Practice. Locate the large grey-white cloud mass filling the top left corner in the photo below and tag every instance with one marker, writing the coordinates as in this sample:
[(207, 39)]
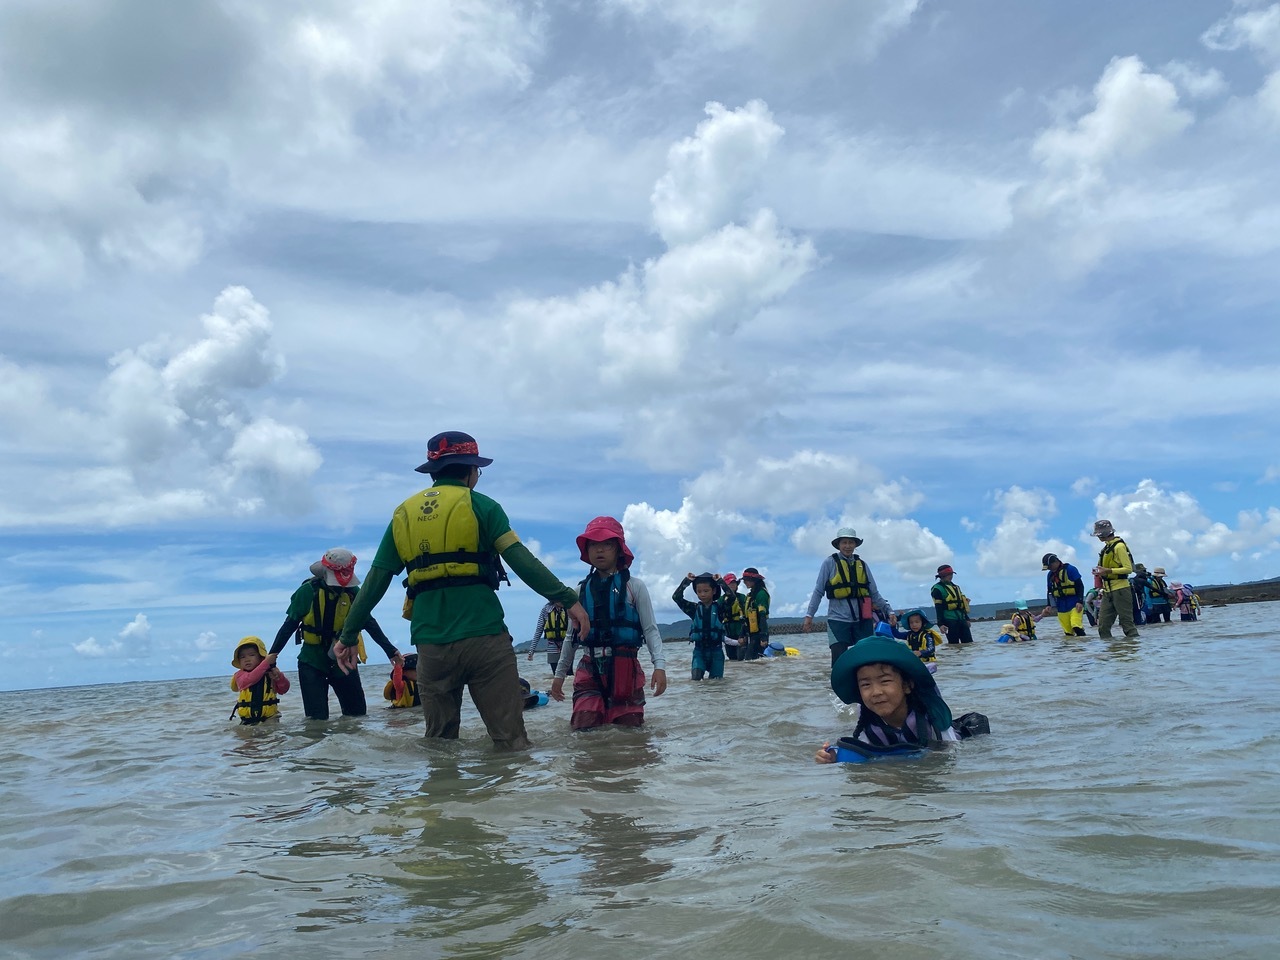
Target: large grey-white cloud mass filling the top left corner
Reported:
[(122, 154)]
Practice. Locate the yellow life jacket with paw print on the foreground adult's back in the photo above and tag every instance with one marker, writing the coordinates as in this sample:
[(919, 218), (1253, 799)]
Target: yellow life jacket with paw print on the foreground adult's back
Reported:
[(438, 538)]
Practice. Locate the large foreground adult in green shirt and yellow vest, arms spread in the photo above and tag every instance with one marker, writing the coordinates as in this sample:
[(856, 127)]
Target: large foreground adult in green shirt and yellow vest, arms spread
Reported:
[(450, 540)]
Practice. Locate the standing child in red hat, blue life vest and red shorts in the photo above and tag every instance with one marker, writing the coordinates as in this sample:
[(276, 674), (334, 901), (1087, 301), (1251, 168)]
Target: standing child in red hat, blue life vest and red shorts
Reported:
[(609, 684)]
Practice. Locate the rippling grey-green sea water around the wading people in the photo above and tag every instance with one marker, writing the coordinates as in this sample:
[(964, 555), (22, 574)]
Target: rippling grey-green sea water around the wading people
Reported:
[(1126, 806)]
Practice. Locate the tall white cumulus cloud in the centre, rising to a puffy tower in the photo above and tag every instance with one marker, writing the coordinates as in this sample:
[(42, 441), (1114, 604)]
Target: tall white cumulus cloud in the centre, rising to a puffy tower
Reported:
[(664, 331)]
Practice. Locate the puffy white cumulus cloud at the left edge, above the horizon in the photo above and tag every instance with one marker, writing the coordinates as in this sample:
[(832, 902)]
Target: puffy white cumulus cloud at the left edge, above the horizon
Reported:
[(173, 432)]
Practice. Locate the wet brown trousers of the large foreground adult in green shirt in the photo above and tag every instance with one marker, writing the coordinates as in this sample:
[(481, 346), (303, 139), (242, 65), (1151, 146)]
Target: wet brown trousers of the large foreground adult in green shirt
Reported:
[(487, 668)]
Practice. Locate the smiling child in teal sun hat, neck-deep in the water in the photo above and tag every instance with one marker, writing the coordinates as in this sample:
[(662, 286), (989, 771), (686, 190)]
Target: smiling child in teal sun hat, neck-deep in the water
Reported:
[(898, 698)]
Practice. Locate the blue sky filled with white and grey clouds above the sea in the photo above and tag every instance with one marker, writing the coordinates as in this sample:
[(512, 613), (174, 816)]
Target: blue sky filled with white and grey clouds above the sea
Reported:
[(964, 277)]
